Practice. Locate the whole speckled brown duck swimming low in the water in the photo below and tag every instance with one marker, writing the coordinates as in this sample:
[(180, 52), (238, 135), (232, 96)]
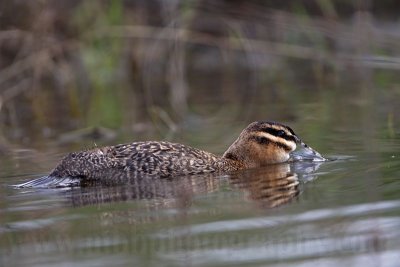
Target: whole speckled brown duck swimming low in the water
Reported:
[(259, 144)]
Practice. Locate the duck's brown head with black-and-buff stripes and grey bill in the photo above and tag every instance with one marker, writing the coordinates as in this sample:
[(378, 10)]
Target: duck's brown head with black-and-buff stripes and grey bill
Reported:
[(263, 143)]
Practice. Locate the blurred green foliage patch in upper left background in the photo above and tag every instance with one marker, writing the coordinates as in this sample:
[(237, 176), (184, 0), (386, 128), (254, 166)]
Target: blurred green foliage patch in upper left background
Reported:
[(101, 56)]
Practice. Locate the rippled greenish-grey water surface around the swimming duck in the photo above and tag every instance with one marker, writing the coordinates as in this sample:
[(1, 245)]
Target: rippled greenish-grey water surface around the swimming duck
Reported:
[(342, 212)]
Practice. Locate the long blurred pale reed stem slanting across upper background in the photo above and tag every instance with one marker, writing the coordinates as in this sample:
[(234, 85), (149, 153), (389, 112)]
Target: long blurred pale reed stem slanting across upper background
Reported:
[(276, 48)]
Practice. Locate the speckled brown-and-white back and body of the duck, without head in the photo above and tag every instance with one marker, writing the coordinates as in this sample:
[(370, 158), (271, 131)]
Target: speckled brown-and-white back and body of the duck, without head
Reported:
[(149, 158)]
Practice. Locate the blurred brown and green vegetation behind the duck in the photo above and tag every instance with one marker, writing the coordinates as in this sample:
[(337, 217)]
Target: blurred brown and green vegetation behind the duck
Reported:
[(154, 69)]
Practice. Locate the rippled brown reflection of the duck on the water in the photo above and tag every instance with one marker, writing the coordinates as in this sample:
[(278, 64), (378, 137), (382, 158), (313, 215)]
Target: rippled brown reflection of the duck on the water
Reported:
[(267, 187)]
